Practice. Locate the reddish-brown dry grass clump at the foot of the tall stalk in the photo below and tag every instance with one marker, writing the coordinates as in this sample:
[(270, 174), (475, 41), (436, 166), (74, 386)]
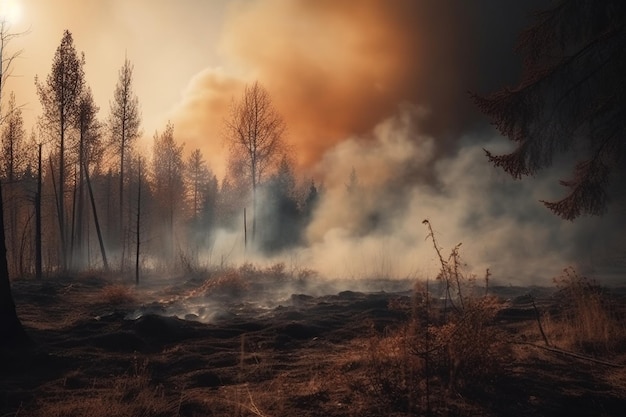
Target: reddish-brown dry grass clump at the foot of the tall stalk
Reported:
[(419, 367)]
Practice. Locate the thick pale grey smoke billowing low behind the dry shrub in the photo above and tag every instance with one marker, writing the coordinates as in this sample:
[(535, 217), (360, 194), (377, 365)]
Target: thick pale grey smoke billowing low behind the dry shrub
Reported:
[(376, 230)]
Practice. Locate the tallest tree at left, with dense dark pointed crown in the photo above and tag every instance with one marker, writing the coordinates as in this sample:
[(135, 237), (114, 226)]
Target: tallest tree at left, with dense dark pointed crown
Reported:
[(59, 97)]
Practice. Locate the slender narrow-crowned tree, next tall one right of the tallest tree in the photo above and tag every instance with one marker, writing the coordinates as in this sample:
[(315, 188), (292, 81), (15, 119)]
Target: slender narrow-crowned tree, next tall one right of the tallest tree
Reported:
[(124, 123)]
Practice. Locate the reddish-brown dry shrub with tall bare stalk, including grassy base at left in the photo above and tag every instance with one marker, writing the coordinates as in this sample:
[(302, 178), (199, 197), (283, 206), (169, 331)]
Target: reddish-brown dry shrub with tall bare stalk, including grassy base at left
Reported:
[(447, 342)]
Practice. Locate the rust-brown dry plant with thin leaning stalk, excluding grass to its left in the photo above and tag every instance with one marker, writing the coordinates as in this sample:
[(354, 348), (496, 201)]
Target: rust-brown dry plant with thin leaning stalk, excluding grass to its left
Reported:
[(463, 343)]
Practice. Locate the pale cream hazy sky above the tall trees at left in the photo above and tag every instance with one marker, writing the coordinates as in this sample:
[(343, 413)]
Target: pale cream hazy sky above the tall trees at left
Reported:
[(168, 42)]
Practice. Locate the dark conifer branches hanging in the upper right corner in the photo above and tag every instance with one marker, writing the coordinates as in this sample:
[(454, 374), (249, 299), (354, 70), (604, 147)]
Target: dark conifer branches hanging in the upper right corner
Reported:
[(571, 97)]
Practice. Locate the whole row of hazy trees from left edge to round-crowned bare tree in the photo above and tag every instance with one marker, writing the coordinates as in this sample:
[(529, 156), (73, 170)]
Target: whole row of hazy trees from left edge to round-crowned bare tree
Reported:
[(78, 195)]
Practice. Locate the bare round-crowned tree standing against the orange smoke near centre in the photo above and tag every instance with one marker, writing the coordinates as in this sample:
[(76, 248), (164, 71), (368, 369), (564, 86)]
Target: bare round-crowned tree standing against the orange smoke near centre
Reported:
[(255, 134)]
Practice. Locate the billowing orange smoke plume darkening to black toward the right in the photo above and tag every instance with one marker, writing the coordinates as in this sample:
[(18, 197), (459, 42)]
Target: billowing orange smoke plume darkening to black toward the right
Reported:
[(336, 69)]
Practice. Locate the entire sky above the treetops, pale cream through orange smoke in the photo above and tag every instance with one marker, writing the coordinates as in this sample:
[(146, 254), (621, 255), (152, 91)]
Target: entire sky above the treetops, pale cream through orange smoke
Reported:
[(333, 68)]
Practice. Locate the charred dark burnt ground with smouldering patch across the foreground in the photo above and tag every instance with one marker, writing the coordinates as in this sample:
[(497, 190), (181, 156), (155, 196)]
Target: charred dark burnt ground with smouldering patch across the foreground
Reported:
[(249, 349)]
